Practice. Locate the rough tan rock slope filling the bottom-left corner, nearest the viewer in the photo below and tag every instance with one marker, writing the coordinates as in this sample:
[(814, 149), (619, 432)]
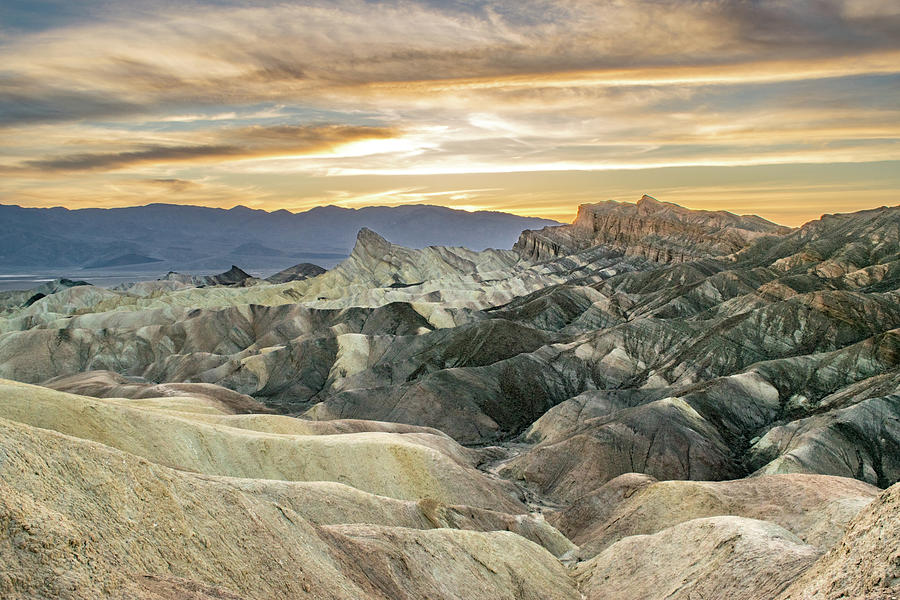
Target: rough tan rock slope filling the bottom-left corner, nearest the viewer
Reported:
[(81, 521)]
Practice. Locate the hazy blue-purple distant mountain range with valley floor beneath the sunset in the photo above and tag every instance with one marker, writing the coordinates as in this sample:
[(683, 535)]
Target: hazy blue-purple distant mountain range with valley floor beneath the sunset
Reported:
[(164, 237)]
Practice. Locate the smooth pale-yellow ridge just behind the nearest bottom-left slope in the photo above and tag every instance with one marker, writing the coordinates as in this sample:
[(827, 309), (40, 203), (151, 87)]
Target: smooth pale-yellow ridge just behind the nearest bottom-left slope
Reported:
[(405, 466)]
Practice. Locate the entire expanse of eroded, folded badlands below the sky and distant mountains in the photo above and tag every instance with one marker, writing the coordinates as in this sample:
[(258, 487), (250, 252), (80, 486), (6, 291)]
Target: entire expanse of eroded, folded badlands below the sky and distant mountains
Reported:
[(649, 403)]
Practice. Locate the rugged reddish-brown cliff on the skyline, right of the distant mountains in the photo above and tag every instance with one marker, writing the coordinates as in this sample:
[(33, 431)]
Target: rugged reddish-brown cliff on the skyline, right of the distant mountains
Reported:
[(658, 231)]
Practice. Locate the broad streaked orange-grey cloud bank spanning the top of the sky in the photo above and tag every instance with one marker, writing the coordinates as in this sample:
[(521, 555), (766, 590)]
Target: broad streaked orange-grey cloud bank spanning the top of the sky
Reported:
[(313, 52)]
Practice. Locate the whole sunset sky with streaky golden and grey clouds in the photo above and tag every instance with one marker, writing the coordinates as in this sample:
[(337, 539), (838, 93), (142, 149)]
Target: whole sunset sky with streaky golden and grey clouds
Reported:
[(786, 108)]
